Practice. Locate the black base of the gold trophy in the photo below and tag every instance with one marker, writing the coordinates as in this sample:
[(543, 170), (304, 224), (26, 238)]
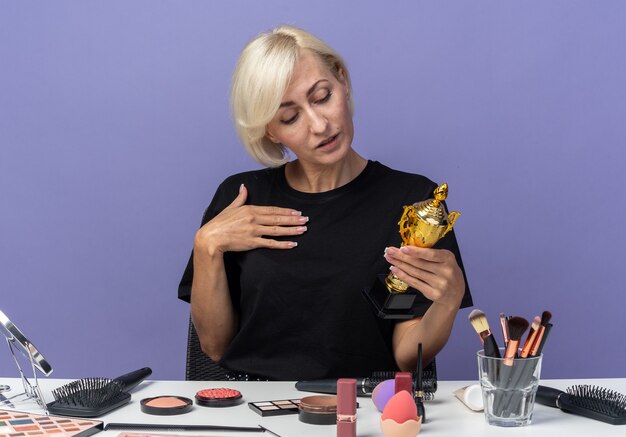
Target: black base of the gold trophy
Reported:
[(390, 305)]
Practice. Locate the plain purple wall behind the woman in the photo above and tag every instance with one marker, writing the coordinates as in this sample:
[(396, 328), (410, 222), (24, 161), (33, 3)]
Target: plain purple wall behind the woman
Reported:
[(115, 131)]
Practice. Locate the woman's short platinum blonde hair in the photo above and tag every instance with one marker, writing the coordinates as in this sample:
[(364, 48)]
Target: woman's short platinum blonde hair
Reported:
[(259, 82)]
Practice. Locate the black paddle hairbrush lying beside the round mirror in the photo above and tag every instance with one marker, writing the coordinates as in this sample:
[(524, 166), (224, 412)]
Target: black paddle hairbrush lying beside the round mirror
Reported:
[(93, 397)]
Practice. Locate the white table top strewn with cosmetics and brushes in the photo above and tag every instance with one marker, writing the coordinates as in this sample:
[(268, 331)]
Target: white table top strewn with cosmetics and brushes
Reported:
[(446, 416)]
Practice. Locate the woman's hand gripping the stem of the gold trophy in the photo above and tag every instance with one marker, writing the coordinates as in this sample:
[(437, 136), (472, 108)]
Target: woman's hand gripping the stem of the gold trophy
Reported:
[(434, 272)]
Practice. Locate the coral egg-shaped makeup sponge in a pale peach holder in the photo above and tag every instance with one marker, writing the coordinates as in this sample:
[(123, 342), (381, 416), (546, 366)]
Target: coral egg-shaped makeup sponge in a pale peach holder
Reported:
[(399, 418)]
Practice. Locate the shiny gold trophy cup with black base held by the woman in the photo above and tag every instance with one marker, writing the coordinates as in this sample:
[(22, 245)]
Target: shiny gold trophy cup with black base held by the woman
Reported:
[(422, 224)]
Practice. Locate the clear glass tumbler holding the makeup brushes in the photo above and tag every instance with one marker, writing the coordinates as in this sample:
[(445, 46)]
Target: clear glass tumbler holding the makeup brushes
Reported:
[(509, 388)]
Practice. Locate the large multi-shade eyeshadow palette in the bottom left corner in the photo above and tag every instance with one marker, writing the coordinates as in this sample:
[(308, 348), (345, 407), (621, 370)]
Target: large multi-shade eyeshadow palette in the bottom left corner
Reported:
[(20, 424)]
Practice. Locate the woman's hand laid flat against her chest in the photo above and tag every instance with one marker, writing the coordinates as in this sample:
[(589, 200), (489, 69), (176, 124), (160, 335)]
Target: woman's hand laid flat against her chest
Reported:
[(240, 227)]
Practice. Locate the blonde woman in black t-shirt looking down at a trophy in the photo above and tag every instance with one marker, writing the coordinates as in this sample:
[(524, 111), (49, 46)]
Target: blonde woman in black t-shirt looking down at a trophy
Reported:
[(282, 258)]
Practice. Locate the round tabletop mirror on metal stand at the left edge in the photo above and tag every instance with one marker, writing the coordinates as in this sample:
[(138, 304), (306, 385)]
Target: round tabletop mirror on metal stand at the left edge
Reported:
[(17, 341)]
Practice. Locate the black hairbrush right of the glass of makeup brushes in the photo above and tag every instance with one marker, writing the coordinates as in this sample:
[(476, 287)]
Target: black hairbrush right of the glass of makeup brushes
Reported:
[(589, 401)]
